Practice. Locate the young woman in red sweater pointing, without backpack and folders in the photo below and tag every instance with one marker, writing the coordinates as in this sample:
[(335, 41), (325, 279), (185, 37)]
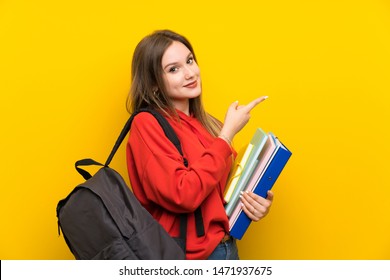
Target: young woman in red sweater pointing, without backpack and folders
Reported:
[(166, 77)]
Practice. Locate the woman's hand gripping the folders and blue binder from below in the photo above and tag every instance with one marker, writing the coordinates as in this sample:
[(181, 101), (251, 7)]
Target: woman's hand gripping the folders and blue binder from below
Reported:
[(255, 206)]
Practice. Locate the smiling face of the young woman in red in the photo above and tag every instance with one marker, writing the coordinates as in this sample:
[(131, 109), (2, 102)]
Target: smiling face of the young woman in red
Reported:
[(181, 75)]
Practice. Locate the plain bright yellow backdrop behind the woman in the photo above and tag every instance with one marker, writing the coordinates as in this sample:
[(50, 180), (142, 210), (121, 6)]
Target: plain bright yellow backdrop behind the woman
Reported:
[(65, 74)]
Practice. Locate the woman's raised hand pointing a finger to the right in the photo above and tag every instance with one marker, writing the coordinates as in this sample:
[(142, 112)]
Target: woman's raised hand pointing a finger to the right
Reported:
[(237, 117)]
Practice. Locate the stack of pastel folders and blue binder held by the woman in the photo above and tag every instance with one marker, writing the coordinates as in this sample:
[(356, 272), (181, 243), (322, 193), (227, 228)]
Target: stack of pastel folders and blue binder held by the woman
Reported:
[(256, 169)]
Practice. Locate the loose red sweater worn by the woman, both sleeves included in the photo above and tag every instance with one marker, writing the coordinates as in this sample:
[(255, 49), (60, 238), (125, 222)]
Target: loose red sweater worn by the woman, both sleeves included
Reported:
[(165, 187)]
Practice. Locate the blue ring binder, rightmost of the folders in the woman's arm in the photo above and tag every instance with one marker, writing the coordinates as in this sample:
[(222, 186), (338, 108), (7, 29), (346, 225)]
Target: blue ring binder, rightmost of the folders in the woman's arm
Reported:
[(265, 183)]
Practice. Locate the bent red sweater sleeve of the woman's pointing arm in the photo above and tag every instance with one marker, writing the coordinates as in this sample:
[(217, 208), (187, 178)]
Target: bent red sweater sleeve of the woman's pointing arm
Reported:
[(164, 178)]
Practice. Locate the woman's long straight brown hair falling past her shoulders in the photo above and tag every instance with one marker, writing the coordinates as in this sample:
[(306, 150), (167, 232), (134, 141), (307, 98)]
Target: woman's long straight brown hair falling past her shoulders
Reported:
[(147, 75)]
